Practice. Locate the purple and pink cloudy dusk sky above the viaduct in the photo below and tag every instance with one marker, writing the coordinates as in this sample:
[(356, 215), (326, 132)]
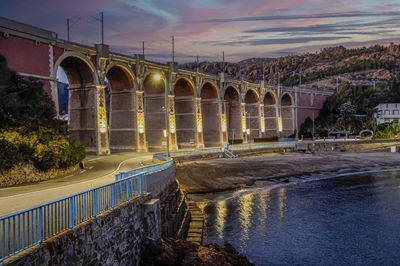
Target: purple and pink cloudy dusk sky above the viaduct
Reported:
[(241, 28)]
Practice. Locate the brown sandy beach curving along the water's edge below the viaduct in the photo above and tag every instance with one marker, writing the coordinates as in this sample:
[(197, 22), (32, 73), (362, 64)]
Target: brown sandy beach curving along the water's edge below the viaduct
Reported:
[(213, 179)]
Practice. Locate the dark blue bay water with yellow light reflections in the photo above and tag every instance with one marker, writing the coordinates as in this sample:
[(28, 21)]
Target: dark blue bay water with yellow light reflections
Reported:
[(352, 220)]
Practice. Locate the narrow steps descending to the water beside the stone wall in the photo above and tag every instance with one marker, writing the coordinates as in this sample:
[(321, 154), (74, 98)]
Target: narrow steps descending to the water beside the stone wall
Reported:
[(195, 232)]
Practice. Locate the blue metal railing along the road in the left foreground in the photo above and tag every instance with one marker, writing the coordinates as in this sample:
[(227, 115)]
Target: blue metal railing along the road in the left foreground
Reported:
[(27, 228)]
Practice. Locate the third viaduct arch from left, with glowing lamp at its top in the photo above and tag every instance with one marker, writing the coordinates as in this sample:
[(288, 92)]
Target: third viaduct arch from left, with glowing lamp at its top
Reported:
[(154, 110)]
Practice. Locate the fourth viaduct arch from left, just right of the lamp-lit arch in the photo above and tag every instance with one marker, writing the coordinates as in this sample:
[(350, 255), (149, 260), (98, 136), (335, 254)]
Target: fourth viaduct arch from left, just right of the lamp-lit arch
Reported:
[(185, 114)]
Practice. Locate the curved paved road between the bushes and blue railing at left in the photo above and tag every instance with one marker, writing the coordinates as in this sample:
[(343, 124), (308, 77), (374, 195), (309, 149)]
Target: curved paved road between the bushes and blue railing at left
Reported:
[(98, 170)]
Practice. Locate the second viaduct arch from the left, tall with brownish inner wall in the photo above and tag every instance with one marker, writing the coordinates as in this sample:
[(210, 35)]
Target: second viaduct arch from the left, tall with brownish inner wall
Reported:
[(121, 107)]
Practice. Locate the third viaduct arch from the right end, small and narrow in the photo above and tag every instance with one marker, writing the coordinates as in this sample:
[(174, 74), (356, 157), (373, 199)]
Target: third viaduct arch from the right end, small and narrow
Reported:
[(252, 108)]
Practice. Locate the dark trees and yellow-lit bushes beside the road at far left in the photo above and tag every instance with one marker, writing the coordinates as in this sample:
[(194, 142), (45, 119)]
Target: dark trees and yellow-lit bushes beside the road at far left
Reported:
[(29, 131)]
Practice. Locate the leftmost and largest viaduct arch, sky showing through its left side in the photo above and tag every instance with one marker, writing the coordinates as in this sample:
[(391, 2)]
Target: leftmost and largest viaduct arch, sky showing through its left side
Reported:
[(78, 87)]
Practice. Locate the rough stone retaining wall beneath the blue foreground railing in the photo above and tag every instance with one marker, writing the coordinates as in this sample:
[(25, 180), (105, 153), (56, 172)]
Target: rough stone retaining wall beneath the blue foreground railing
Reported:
[(116, 237)]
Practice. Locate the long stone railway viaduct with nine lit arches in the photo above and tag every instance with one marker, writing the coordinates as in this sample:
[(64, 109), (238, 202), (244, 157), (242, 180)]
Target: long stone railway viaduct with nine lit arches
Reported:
[(203, 109)]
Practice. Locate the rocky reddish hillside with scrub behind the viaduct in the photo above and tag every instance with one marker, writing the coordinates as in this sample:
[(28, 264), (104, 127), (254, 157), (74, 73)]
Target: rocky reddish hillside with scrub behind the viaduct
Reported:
[(359, 66)]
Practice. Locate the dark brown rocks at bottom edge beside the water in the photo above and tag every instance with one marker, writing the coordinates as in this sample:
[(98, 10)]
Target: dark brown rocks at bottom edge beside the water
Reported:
[(181, 252)]
